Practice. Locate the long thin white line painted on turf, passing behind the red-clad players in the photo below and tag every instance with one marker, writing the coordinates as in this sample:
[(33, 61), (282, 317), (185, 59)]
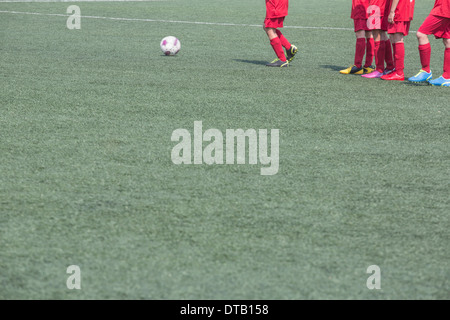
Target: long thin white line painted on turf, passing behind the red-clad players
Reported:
[(171, 21)]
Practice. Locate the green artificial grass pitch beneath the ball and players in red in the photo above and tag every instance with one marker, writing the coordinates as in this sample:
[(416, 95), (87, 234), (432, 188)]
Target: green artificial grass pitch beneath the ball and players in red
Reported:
[(86, 176)]
